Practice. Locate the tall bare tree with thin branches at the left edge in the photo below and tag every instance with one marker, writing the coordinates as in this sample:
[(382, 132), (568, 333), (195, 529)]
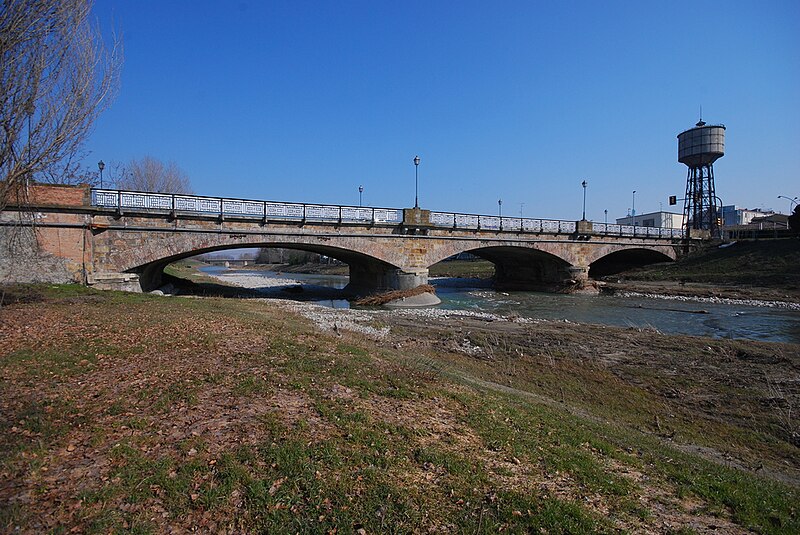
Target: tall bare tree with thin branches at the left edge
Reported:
[(56, 77)]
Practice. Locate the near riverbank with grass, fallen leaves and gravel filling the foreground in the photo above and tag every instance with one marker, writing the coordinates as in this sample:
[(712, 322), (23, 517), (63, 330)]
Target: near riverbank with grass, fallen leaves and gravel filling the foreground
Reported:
[(151, 414)]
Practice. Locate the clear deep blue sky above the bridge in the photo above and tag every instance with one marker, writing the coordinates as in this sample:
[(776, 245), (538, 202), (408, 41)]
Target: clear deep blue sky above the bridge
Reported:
[(519, 101)]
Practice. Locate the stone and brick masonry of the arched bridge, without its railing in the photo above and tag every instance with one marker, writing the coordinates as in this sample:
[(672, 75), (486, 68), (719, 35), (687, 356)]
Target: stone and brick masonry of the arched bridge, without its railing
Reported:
[(75, 241)]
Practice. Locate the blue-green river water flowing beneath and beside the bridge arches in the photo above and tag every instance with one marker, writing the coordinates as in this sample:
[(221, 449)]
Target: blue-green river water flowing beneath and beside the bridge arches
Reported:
[(718, 320)]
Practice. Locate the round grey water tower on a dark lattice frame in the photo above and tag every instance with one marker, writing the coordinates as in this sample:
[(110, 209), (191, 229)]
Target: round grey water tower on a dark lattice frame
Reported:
[(698, 149)]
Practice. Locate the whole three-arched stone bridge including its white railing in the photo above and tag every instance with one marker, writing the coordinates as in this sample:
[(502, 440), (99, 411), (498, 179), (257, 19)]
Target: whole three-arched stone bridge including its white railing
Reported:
[(123, 240)]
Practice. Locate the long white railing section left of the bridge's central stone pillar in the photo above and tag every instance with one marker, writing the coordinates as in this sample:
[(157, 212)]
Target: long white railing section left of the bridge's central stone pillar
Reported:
[(218, 206)]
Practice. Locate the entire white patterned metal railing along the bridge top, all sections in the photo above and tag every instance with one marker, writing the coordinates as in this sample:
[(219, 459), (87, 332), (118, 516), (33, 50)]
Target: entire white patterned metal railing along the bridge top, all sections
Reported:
[(280, 211)]
